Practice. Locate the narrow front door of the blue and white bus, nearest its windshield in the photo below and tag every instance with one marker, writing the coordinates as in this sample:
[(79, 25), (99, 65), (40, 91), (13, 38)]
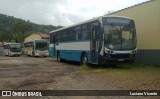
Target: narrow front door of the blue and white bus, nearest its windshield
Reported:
[(93, 45)]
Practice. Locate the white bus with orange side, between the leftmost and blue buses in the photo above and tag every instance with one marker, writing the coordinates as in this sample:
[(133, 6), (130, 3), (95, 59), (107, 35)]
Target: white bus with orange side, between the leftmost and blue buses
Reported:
[(36, 48)]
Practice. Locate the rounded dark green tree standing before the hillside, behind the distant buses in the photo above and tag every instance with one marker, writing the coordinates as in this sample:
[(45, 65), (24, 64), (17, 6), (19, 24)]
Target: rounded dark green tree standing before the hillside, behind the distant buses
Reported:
[(20, 30)]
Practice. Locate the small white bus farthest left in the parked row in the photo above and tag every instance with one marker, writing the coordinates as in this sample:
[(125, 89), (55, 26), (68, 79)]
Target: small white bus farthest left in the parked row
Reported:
[(12, 49)]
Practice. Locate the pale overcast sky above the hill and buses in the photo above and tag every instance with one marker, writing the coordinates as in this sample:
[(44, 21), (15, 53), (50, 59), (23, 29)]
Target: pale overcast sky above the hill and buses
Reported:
[(62, 12)]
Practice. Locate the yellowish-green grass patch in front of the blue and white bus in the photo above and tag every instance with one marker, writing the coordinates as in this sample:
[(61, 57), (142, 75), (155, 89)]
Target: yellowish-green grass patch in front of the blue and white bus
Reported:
[(125, 76)]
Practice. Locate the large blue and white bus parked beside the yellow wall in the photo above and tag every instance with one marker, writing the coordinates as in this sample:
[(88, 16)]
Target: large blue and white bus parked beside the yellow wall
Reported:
[(97, 41)]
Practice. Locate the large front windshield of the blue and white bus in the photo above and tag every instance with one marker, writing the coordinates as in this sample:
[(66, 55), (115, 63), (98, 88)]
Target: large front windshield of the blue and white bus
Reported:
[(120, 34)]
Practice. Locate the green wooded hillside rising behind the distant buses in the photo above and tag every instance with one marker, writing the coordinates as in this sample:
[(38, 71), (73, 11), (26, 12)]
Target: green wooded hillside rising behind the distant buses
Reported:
[(15, 29)]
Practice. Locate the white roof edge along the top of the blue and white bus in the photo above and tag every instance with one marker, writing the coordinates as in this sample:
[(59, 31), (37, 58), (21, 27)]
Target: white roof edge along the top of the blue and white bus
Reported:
[(94, 19)]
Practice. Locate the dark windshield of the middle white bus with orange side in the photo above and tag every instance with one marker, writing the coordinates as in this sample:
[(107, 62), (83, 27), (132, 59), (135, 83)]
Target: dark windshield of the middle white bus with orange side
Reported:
[(41, 46)]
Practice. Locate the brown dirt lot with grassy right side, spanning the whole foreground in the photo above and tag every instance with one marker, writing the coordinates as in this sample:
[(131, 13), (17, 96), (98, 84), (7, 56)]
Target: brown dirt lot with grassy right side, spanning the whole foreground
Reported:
[(31, 73)]
